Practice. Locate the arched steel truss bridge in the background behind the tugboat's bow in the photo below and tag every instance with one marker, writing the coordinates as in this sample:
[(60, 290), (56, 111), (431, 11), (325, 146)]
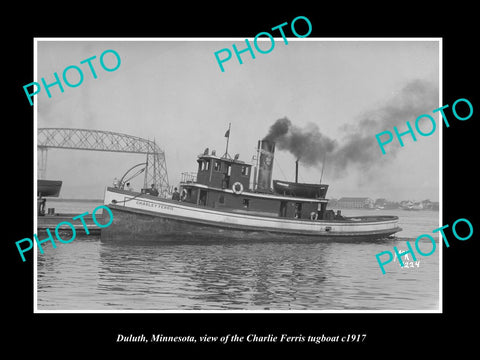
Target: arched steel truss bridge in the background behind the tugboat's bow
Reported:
[(97, 140)]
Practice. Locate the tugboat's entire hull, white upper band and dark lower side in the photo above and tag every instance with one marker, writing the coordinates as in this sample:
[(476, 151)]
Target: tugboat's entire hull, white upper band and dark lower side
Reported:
[(145, 217)]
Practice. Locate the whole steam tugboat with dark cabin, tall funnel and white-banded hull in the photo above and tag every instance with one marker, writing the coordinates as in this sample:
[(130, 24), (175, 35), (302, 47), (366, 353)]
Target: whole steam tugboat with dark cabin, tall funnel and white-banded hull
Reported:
[(218, 202)]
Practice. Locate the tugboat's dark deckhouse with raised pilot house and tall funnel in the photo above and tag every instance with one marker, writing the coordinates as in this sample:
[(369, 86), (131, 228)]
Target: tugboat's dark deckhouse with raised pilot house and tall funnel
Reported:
[(224, 183)]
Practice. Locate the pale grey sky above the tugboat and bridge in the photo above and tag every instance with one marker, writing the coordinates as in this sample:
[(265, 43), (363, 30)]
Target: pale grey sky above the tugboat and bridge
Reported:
[(174, 92)]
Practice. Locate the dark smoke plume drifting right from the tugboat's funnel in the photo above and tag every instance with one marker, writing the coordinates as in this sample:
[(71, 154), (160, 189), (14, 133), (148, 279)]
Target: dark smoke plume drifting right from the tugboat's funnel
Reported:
[(358, 147)]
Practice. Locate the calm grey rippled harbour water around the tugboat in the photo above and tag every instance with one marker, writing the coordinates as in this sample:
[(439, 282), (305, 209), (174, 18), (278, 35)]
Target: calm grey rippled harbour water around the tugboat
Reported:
[(242, 275)]
